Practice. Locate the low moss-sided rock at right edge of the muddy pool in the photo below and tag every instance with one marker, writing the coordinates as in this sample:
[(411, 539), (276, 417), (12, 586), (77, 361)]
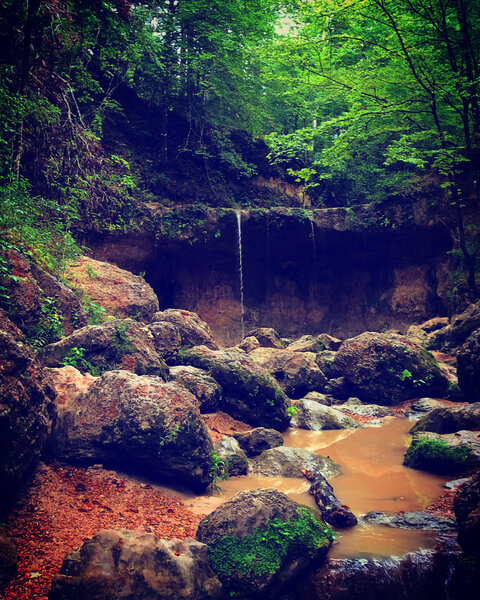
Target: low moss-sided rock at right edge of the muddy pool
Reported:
[(451, 453)]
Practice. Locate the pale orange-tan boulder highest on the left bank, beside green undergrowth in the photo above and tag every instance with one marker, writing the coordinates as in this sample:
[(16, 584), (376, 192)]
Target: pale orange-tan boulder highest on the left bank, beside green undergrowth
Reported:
[(119, 292)]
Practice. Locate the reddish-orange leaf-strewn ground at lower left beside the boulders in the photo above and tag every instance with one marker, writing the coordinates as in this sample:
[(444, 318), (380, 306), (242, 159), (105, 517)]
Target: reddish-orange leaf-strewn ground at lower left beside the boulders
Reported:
[(67, 505)]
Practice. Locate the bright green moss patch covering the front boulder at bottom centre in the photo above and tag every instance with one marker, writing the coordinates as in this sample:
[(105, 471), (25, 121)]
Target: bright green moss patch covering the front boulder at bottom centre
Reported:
[(264, 550)]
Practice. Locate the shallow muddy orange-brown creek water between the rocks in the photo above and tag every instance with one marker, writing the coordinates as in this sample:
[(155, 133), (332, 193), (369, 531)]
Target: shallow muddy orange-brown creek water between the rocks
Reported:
[(372, 478)]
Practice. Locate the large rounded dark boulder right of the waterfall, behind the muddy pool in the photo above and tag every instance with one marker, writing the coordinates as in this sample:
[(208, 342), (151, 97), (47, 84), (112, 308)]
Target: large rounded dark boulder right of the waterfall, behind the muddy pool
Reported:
[(386, 368)]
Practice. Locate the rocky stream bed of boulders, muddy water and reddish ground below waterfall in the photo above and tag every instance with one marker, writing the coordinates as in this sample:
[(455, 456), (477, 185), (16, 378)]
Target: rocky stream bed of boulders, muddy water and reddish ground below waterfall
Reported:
[(95, 423)]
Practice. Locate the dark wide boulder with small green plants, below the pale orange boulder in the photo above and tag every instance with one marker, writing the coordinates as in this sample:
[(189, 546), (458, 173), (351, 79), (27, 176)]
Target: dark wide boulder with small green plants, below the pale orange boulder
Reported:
[(117, 344)]
